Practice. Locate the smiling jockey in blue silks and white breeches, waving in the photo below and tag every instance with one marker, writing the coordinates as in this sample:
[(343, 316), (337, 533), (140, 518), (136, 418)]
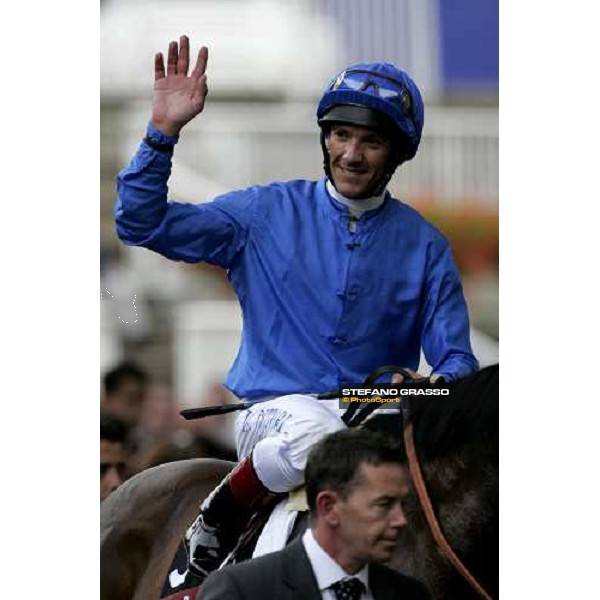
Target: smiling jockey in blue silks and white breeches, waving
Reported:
[(335, 277)]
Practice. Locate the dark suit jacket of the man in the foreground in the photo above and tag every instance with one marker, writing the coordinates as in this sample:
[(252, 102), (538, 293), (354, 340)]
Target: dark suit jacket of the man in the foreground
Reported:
[(288, 575)]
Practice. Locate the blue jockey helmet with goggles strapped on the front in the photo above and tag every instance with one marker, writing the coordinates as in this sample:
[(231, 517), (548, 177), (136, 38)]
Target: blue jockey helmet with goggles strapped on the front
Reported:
[(376, 95)]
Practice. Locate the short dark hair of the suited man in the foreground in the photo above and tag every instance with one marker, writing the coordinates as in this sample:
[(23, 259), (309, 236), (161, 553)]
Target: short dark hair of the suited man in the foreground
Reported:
[(334, 462)]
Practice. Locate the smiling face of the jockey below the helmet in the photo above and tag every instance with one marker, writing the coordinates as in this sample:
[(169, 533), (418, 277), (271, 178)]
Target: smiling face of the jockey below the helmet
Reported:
[(357, 159)]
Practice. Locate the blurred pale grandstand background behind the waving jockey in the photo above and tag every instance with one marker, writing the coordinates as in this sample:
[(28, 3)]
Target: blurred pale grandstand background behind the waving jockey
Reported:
[(269, 62)]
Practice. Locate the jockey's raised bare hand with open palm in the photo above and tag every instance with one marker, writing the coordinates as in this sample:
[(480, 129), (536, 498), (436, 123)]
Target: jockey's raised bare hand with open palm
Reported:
[(177, 97)]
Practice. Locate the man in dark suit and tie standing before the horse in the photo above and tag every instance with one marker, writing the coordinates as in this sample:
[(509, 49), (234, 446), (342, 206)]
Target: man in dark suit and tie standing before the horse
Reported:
[(354, 486)]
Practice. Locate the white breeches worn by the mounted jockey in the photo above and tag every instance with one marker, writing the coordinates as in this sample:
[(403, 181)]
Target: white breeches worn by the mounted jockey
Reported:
[(280, 434)]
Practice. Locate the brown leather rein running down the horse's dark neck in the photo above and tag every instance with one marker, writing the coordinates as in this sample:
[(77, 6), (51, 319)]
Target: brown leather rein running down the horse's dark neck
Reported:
[(434, 526)]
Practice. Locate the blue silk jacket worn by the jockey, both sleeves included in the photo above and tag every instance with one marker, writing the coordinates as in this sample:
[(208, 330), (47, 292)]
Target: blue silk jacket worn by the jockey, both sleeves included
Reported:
[(321, 305)]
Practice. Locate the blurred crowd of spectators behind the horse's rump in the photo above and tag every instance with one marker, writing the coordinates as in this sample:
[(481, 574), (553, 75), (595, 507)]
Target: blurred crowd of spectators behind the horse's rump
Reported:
[(140, 426)]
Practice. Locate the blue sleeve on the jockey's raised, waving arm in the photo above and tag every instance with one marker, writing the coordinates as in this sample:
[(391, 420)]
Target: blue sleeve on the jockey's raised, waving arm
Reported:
[(214, 232)]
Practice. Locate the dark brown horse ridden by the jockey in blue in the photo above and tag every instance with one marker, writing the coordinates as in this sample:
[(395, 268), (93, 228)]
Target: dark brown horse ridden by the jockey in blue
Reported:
[(456, 438)]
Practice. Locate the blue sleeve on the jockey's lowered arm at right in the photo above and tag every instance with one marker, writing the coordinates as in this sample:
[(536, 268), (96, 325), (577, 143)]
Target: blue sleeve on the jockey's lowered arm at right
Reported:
[(445, 335)]
